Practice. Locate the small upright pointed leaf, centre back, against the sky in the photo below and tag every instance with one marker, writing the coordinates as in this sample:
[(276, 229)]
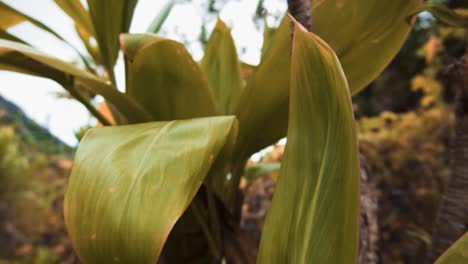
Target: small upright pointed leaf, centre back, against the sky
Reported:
[(222, 66)]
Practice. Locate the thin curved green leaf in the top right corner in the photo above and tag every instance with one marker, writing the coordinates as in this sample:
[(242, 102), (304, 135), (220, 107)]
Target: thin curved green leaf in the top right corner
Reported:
[(443, 13)]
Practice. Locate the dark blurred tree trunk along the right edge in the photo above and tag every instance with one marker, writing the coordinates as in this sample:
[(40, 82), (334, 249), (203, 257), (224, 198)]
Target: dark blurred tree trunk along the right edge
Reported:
[(452, 217)]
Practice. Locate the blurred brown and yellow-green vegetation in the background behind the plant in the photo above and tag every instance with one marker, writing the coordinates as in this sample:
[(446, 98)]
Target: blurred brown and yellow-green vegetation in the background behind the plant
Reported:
[(404, 122)]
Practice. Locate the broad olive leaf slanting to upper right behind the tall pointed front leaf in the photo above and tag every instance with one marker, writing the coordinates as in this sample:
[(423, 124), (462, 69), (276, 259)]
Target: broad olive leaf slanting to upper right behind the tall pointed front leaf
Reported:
[(365, 34)]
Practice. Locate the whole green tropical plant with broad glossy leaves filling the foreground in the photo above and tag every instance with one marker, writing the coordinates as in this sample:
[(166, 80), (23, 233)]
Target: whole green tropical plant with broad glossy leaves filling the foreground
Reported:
[(170, 167)]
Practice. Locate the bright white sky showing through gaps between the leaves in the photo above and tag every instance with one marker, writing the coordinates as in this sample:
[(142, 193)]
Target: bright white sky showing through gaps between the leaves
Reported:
[(63, 117)]
